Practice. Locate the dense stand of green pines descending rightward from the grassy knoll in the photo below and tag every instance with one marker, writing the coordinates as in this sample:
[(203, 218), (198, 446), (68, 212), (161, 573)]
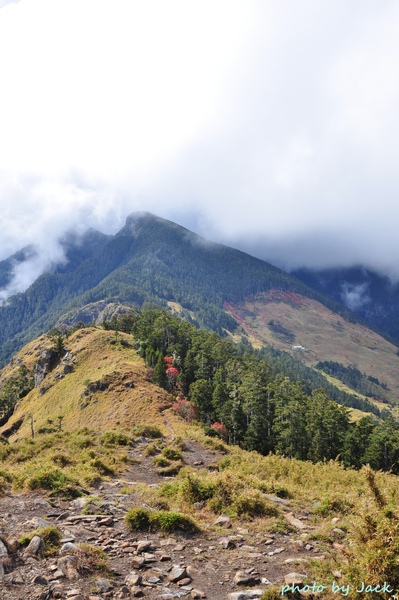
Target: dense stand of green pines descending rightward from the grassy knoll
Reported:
[(261, 410)]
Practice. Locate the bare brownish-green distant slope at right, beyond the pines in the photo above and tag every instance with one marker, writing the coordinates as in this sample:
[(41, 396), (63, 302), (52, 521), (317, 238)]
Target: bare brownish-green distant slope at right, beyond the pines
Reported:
[(324, 334)]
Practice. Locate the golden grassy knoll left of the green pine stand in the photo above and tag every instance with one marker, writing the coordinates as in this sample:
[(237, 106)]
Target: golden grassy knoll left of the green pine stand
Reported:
[(95, 356)]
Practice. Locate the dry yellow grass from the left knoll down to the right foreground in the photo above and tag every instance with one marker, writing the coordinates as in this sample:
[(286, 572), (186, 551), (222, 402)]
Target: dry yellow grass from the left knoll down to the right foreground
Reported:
[(316, 493)]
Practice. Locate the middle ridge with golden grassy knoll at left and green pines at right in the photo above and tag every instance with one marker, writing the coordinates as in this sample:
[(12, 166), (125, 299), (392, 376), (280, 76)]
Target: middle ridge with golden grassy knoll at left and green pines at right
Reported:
[(103, 378)]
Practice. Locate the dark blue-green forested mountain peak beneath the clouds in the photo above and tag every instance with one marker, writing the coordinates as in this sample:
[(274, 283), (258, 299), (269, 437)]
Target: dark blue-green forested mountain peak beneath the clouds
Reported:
[(149, 260)]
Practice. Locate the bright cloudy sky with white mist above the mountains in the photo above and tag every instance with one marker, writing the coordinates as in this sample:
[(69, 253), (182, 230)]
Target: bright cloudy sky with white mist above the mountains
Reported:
[(268, 125)]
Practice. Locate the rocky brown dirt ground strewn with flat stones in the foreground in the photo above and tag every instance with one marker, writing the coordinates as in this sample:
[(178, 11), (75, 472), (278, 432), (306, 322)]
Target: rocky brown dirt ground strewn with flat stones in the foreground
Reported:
[(229, 560)]
